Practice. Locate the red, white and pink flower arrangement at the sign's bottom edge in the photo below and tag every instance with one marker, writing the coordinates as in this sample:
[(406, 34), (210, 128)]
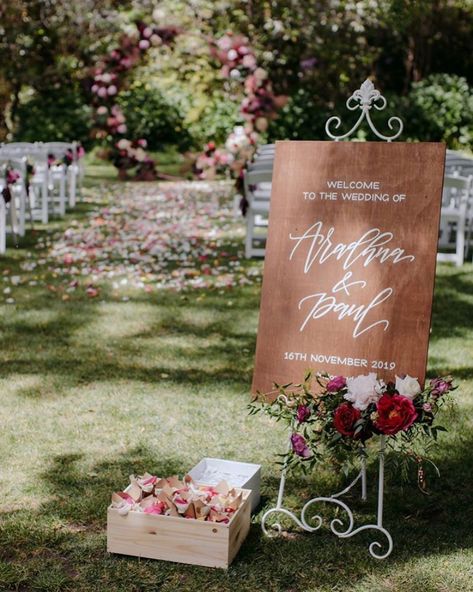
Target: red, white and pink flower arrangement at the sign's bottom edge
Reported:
[(342, 414)]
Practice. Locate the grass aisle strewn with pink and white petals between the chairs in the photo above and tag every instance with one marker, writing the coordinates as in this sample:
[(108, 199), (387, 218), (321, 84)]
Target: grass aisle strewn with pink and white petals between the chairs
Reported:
[(149, 236)]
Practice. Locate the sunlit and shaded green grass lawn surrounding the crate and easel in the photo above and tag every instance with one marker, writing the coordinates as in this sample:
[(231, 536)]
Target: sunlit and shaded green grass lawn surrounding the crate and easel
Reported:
[(94, 389)]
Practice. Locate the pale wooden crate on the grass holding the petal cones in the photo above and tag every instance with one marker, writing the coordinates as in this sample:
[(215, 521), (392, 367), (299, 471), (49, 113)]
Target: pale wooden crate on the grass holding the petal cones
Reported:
[(179, 539)]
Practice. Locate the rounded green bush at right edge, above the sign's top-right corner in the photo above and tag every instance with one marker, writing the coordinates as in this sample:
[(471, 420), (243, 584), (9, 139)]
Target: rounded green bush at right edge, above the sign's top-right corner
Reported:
[(440, 108)]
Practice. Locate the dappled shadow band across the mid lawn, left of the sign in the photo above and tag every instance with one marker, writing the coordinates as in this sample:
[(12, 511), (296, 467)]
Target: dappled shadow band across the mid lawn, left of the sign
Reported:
[(46, 342)]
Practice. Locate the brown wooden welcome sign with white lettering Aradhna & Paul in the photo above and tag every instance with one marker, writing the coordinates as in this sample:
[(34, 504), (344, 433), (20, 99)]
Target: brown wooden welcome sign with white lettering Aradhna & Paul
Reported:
[(350, 260)]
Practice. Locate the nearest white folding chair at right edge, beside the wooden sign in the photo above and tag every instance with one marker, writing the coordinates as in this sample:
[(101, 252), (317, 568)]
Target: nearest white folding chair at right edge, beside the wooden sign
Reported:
[(455, 218)]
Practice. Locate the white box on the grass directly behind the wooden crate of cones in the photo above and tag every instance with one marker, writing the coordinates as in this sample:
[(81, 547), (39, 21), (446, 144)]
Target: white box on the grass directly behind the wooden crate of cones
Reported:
[(210, 471)]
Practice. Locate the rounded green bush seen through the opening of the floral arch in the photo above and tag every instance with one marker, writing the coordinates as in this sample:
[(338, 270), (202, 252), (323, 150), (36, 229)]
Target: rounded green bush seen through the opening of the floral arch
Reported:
[(151, 116)]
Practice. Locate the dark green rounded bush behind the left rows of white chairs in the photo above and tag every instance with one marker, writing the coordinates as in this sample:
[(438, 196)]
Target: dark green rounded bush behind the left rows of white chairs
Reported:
[(58, 113)]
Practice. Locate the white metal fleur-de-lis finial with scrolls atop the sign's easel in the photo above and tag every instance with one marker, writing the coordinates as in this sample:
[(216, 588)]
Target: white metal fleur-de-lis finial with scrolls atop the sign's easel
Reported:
[(365, 98)]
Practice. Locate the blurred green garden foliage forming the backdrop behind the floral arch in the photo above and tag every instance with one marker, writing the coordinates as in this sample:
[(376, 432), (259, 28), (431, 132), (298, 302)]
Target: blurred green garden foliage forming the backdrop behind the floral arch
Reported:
[(315, 52)]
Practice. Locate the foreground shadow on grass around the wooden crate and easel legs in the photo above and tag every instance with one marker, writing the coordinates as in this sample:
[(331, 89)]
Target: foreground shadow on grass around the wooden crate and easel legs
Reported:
[(66, 534)]
